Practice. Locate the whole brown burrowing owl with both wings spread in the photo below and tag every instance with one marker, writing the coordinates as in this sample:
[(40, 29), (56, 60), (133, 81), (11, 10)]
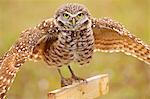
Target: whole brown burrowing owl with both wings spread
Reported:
[(71, 35)]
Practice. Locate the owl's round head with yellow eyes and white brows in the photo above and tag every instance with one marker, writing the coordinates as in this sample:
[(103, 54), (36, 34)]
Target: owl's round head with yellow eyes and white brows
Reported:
[(72, 17)]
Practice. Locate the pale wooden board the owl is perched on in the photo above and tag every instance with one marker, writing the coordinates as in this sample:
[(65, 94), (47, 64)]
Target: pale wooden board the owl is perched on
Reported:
[(95, 87)]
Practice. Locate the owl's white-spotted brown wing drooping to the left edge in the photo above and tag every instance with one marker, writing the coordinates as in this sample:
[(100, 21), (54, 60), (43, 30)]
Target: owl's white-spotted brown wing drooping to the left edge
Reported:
[(30, 44)]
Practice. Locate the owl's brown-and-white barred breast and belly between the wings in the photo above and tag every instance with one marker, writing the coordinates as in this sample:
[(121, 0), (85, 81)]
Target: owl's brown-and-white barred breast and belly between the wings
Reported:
[(74, 47)]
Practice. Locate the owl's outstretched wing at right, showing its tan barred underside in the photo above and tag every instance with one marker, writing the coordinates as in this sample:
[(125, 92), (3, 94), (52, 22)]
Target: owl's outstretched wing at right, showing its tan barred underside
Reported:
[(111, 36)]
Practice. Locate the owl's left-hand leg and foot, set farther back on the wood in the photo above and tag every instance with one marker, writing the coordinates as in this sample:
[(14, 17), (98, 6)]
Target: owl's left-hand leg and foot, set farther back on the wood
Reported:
[(64, 81)]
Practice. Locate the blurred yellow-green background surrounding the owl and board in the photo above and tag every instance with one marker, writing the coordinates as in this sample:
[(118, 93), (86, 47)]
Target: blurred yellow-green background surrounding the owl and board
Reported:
[(129, 77)]
